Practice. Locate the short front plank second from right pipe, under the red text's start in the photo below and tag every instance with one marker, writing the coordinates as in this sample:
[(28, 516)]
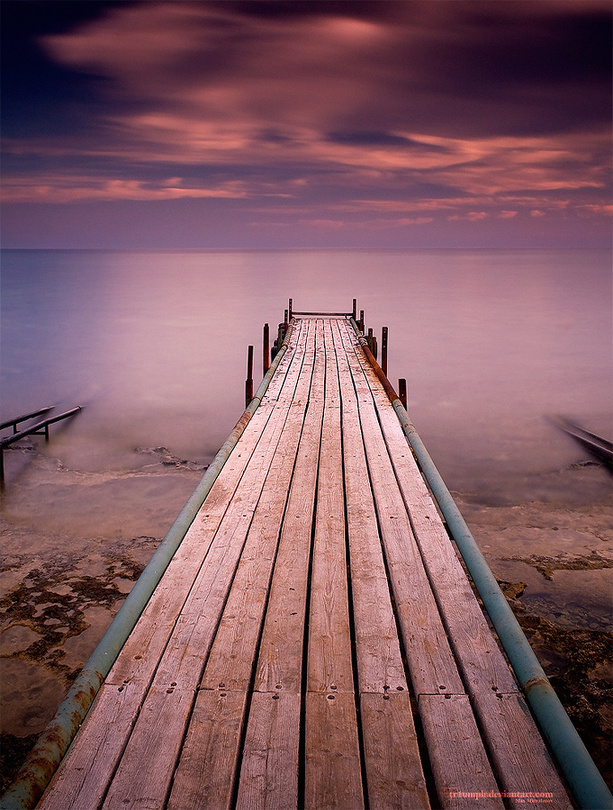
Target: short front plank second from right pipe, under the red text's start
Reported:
[(457, 757)]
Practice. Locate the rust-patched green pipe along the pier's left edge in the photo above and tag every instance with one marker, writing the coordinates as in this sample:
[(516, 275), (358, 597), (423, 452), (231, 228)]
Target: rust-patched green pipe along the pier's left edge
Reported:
[(43, 760)]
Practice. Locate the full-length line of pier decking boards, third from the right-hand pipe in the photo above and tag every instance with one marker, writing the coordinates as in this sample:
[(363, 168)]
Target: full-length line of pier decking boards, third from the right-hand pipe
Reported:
[(392, 759)]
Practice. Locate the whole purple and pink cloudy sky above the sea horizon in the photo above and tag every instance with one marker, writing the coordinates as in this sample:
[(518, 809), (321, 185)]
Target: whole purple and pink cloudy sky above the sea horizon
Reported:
[(394, 123)]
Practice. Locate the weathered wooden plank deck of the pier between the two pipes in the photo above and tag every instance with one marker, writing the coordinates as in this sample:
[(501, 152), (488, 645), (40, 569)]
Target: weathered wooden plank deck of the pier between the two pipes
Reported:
[(314, 642)]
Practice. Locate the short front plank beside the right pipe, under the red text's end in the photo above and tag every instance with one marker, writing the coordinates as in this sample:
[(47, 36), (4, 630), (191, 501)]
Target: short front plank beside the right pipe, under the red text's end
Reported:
[(518, 752)]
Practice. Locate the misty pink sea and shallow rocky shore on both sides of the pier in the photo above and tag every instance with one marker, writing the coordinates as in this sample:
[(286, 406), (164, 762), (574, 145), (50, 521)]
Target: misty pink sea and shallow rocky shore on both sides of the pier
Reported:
[(154, 346)]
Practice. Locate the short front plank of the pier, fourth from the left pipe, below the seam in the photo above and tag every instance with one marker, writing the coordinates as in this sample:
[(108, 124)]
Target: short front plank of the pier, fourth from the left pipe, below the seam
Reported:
[(269, 772)]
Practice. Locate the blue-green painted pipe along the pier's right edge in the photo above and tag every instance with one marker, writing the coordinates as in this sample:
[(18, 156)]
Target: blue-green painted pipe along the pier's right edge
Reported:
[(582, 775)]
